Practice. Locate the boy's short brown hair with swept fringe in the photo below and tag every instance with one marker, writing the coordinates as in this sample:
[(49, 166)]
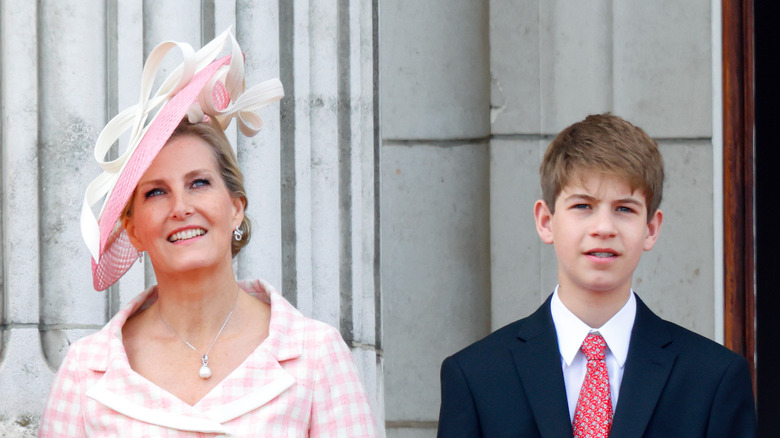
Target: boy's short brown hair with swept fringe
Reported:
[(608, 144)]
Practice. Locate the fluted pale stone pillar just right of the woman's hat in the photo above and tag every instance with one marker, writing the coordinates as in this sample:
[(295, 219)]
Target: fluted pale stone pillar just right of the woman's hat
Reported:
[(328, 173)]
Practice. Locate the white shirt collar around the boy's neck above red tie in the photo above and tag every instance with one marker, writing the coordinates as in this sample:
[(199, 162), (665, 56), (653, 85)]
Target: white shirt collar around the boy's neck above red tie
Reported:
[(571, 331)]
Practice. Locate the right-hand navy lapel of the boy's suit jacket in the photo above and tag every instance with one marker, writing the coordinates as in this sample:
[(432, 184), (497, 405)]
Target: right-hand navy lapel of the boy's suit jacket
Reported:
[(648, 366)]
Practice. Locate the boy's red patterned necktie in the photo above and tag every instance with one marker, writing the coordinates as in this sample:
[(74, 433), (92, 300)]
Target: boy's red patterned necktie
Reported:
[(593, 416)]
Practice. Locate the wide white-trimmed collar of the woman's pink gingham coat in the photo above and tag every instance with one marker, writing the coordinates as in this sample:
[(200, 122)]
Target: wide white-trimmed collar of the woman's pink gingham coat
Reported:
[(125, 391)]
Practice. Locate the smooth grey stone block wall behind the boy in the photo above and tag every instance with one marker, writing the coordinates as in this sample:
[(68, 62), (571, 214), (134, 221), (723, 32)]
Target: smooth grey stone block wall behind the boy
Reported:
[(472, 92)]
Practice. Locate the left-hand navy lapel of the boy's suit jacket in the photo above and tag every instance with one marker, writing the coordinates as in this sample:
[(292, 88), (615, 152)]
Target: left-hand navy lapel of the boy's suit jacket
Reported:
[(538, 362)]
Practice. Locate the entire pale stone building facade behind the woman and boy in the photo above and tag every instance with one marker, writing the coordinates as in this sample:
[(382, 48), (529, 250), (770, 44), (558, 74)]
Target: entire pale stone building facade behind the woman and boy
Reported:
[(391, 190)]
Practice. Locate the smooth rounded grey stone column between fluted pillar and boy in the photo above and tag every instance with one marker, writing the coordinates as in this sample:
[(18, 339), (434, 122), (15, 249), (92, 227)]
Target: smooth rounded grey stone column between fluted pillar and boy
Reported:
[(435, 200)]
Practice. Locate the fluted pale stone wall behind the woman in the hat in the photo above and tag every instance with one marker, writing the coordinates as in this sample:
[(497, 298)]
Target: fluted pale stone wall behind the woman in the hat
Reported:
[(312, 174)]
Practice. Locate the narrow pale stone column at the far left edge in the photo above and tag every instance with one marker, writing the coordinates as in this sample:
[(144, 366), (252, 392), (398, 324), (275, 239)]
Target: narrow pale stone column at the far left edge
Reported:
[(25, 375)]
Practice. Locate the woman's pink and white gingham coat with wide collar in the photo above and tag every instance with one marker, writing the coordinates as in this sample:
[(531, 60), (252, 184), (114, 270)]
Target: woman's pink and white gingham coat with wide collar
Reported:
[(301, 381)]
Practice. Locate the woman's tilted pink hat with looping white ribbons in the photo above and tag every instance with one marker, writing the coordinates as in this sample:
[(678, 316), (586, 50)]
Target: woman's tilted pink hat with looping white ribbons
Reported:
[(199, 87)]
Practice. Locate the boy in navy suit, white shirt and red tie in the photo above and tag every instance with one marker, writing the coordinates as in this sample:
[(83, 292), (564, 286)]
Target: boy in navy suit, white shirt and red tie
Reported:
[(593, 360)]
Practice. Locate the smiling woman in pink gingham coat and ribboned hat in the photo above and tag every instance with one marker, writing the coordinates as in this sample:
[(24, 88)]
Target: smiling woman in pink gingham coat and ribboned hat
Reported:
[(198, 353)]
